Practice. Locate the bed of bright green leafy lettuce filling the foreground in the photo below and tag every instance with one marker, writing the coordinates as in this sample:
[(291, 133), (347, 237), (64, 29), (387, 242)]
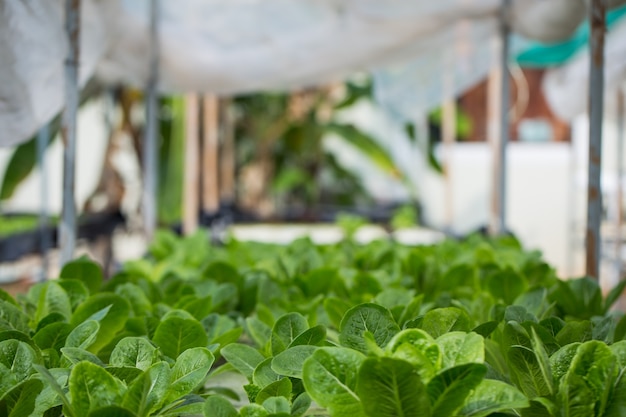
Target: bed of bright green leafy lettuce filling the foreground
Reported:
[(472, 328)]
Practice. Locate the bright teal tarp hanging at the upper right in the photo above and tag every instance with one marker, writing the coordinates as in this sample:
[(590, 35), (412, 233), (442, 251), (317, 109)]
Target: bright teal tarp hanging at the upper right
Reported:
[(542, 55)]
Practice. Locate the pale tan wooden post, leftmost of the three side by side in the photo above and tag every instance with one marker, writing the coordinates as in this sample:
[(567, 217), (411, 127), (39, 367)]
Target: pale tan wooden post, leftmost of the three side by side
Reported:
[(192, 164)]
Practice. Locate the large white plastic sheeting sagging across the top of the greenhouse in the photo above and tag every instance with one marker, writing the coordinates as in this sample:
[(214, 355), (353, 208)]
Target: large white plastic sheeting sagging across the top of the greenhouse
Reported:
[(236, 46)]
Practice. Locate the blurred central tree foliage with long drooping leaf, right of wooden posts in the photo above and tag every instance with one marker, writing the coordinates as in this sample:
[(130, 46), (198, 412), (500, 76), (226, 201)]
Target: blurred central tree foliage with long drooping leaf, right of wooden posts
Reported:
[(283, 164)]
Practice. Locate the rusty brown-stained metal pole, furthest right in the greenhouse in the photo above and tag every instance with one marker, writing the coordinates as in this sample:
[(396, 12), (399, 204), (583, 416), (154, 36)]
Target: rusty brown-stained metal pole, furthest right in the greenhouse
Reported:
[(596, 104)]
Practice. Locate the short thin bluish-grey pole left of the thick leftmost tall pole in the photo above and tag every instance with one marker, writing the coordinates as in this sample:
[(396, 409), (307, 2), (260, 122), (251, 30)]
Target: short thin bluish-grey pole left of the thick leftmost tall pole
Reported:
[(43, 137)]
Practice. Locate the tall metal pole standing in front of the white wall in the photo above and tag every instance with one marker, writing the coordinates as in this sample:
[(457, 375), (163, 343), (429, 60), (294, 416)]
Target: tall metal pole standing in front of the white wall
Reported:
[(501, 139)]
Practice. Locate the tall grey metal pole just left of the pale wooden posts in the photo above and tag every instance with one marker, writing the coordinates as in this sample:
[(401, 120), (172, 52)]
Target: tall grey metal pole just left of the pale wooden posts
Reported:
[(150, 148)]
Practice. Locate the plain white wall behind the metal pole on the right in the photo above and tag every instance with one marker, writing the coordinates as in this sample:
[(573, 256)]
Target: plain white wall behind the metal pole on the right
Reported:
[(537, 200)]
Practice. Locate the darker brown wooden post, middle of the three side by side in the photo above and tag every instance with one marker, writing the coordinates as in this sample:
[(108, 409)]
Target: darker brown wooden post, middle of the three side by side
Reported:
[(210, 156)]
